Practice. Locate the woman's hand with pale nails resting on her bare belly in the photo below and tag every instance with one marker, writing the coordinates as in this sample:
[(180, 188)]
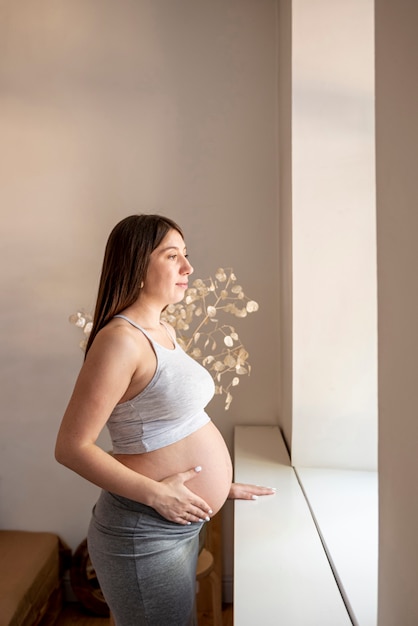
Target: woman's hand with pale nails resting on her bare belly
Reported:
[(177, 503)]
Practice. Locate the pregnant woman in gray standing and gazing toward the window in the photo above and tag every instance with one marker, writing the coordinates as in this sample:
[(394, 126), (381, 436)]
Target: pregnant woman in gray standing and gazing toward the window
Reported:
[(170, 470)]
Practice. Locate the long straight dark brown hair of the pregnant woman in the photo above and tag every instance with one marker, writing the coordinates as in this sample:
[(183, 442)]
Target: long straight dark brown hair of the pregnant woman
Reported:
[(125, 265)]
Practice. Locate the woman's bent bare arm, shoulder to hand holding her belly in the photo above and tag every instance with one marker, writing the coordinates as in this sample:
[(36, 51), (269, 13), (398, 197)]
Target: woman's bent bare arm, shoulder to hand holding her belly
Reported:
[(103, 380)]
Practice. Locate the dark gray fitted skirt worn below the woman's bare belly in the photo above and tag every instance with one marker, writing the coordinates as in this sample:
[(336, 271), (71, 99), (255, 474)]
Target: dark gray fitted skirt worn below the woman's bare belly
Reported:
[(145, 565)]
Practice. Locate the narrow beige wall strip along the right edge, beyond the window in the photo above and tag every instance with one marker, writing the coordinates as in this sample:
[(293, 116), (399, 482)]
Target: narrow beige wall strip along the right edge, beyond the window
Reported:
[(397, 228)]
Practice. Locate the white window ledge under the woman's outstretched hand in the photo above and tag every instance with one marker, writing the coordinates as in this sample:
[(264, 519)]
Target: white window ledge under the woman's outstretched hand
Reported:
[(302, 561)]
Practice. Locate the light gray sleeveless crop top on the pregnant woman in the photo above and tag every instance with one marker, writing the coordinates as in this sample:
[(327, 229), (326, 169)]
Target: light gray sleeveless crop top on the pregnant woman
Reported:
[(170, 407)]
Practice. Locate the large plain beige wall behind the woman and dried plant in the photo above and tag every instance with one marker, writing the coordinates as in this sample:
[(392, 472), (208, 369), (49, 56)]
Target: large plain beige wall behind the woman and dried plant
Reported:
[(109, 108)]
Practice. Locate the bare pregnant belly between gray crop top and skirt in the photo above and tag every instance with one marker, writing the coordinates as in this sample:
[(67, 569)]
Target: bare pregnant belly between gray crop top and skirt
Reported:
[(206, 448)]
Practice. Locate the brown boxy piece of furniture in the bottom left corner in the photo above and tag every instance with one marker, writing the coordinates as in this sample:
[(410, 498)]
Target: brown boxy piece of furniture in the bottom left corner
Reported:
[(32, 567)]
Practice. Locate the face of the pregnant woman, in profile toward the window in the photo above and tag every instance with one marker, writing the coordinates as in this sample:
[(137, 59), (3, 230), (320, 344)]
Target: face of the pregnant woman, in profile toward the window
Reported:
[(168, 270)]
